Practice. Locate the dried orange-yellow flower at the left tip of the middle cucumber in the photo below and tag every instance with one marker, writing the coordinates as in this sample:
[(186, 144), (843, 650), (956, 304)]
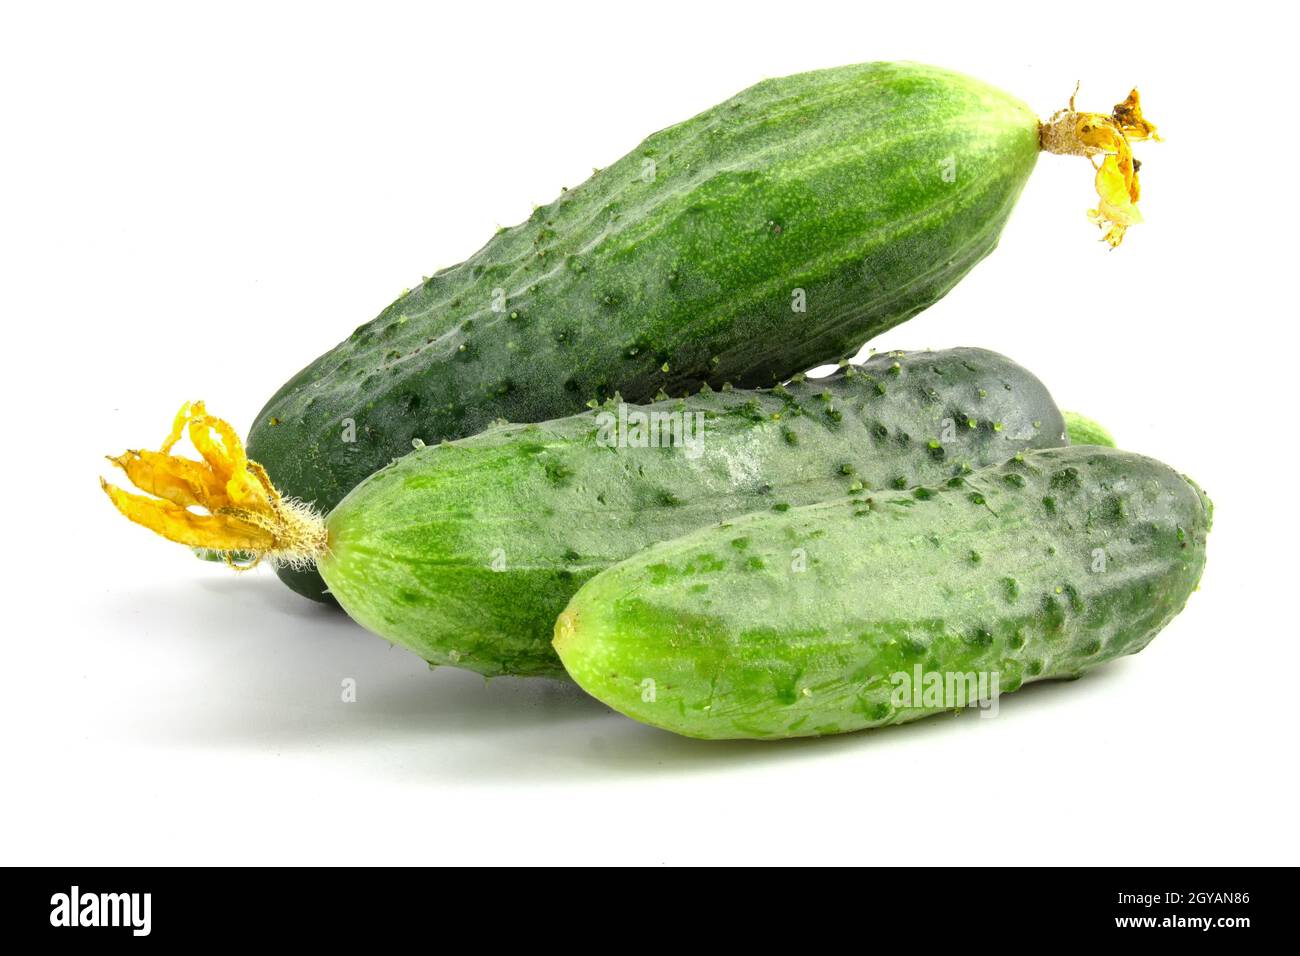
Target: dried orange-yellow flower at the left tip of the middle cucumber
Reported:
[(246, 520)]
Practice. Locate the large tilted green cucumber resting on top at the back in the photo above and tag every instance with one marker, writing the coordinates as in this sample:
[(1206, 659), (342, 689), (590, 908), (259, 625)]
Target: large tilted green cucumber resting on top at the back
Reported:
[(831, 181)]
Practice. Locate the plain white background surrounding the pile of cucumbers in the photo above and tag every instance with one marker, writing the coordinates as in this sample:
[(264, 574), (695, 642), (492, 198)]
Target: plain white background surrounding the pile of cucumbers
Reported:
[(197, 202)]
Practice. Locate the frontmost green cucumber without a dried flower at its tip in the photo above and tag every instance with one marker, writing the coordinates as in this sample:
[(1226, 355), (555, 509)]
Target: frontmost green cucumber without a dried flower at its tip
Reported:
[(740, 647)]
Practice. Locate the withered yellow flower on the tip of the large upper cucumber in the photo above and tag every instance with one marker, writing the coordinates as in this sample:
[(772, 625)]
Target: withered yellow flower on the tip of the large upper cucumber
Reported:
[(1073, 133)]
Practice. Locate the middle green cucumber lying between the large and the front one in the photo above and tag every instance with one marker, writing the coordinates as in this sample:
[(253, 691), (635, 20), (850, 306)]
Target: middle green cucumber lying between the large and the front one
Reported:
[(413, 547)]
